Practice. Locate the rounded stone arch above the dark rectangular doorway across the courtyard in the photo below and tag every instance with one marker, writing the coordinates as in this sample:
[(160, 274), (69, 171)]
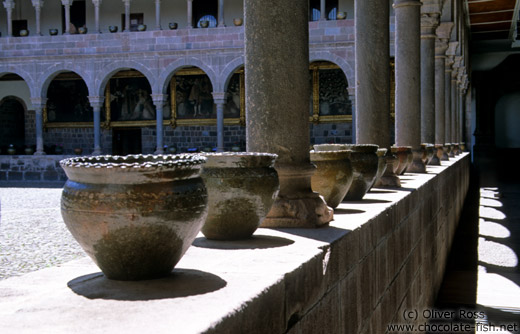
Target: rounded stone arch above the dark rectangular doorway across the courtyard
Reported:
[(108, 71)]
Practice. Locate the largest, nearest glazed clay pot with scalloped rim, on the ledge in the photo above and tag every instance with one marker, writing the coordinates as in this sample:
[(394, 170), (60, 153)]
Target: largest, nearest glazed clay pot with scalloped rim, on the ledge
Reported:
[(135, 215)]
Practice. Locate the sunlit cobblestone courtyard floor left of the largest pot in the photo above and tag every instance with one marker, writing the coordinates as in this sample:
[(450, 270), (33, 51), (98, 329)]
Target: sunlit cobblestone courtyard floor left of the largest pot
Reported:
[(32, 233)]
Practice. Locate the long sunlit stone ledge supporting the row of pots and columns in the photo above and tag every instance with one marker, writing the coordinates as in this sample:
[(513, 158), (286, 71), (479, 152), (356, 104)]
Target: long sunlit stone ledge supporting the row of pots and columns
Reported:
[(356, 275)]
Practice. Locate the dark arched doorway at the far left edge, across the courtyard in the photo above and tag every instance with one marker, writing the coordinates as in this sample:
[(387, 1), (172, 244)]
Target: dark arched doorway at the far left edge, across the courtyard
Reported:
[(12, 124)]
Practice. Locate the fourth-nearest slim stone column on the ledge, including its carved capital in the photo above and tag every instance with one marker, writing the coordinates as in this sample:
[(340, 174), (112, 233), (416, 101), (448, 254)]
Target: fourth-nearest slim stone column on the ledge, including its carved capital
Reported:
[(429, 22)]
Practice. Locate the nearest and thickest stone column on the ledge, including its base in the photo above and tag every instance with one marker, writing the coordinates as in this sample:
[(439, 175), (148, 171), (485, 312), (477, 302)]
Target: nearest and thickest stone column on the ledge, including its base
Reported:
[(282, 47)]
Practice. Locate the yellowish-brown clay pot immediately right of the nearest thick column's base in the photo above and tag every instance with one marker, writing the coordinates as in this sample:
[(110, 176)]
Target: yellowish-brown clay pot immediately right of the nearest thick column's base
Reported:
[(333, 176)]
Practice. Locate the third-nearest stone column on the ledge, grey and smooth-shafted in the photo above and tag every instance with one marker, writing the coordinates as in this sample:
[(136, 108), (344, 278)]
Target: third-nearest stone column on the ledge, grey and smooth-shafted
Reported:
[(407, 80)]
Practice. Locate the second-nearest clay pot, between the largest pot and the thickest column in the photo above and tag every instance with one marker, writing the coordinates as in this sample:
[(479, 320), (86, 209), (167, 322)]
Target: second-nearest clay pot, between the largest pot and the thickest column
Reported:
[(242, 187)]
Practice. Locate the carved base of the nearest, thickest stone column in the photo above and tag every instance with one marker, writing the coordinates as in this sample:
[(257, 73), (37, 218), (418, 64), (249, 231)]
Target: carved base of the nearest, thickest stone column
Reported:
[(296, 204)]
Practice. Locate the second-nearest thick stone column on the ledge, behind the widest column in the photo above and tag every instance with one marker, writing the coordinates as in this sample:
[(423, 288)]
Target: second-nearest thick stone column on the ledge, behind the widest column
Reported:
[(372, 113)]
